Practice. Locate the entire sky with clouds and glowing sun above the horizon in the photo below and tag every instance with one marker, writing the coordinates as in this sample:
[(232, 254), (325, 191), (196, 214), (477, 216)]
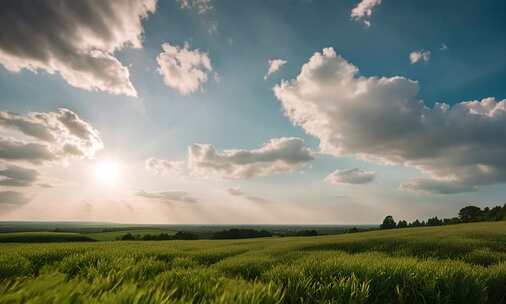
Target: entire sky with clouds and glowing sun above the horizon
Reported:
[(250, 112)]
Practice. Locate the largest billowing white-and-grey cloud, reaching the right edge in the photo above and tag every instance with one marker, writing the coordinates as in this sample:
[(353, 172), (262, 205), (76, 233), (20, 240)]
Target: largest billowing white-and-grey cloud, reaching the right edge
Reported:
[(381, 119)]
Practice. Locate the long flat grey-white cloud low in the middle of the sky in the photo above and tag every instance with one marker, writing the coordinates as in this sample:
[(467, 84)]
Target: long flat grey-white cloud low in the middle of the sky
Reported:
[(277, 156)]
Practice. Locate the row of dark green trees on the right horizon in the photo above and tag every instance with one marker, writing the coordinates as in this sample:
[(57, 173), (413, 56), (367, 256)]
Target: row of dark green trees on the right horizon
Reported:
[(466, 215)]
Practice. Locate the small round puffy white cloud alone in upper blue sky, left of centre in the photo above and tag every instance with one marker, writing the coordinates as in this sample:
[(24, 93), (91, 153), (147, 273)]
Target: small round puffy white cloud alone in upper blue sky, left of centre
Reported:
[(183, 69)]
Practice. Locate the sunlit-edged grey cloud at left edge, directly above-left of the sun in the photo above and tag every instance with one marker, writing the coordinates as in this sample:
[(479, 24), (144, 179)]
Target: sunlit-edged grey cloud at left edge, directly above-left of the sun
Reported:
[(55, 135)]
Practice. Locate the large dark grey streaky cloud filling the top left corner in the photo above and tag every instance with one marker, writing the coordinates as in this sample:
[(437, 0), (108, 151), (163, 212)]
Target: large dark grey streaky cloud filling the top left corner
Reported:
[(75, 38)]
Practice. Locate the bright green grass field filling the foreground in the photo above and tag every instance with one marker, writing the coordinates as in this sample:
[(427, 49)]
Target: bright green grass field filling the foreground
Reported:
[(463, 263)]
